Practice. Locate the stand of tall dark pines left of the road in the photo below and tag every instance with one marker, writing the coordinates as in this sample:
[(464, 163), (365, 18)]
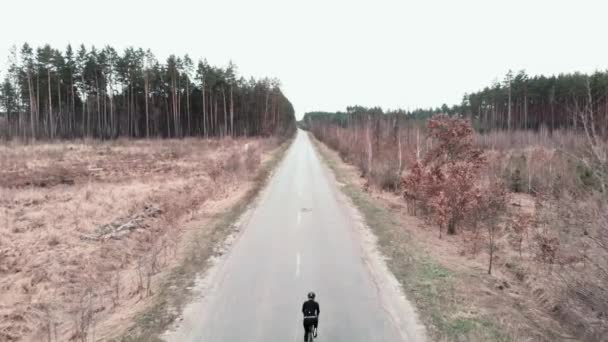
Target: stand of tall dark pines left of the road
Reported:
[(47, 93)]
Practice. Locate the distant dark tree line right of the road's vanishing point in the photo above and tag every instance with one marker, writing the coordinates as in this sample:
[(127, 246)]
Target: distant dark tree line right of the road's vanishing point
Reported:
[(518, 102)]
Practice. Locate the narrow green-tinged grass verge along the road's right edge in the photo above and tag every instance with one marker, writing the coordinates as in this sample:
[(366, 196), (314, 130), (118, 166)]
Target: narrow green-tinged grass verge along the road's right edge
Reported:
[(433, 287)]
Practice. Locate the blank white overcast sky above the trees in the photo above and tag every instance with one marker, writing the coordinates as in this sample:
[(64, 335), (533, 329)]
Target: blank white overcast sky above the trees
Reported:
[(330, 54)]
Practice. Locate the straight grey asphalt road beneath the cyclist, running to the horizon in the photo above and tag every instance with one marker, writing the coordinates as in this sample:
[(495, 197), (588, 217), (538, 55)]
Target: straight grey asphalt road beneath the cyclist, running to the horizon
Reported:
[(300, 237)]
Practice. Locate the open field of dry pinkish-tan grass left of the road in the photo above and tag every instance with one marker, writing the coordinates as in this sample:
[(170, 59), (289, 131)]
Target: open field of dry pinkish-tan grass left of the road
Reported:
[(86, 230)]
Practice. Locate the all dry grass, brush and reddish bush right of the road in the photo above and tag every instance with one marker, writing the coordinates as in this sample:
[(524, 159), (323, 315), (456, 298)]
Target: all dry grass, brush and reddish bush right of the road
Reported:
[(509, 224)]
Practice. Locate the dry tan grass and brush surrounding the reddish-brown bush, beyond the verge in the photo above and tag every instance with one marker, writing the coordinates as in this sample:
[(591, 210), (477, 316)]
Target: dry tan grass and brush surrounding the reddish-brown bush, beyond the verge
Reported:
[(554, 266)]
